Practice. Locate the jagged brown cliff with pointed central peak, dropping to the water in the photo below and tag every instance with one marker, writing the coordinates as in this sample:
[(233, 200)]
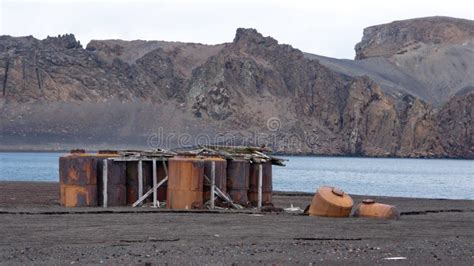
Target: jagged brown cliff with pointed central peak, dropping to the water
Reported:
[(346, 116)]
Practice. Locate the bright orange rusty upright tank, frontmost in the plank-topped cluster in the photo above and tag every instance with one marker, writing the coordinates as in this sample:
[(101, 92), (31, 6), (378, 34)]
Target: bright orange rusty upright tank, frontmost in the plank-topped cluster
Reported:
[(185, 182)]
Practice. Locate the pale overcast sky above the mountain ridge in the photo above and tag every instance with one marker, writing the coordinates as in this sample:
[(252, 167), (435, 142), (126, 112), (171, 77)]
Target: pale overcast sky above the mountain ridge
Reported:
[(329, 28)]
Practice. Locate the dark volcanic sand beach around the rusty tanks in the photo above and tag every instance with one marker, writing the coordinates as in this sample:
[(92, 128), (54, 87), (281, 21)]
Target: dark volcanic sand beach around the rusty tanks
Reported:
[(35, 230)]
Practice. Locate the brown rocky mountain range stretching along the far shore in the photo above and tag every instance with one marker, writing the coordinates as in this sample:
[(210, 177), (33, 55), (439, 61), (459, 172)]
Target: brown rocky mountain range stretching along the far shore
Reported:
[(56, 94)]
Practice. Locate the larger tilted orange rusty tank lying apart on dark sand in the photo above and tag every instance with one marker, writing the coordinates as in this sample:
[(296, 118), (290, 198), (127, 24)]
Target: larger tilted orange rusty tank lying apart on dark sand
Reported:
[(331, 202)]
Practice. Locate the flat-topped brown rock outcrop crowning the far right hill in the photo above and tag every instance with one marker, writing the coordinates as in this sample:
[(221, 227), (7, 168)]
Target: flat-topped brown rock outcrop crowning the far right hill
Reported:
[(400, 36)]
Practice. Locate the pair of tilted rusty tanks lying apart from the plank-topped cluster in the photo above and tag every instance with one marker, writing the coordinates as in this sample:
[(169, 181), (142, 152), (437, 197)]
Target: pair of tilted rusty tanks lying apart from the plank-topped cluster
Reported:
[(333, 202)]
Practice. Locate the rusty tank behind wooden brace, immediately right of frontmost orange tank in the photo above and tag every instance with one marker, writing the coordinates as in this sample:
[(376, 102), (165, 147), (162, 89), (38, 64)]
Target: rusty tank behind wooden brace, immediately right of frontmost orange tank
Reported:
[(220, 175)]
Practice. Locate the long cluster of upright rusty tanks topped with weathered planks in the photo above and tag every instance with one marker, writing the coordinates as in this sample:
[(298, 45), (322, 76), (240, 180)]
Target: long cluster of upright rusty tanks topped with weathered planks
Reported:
[(123, 178)]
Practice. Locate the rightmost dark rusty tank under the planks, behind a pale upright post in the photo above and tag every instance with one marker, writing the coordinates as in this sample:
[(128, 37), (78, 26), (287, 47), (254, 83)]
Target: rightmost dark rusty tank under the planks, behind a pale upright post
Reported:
[(267, 186)]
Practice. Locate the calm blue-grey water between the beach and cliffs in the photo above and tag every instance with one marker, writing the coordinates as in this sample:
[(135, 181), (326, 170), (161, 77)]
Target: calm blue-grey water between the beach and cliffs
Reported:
[(426, 178)]
